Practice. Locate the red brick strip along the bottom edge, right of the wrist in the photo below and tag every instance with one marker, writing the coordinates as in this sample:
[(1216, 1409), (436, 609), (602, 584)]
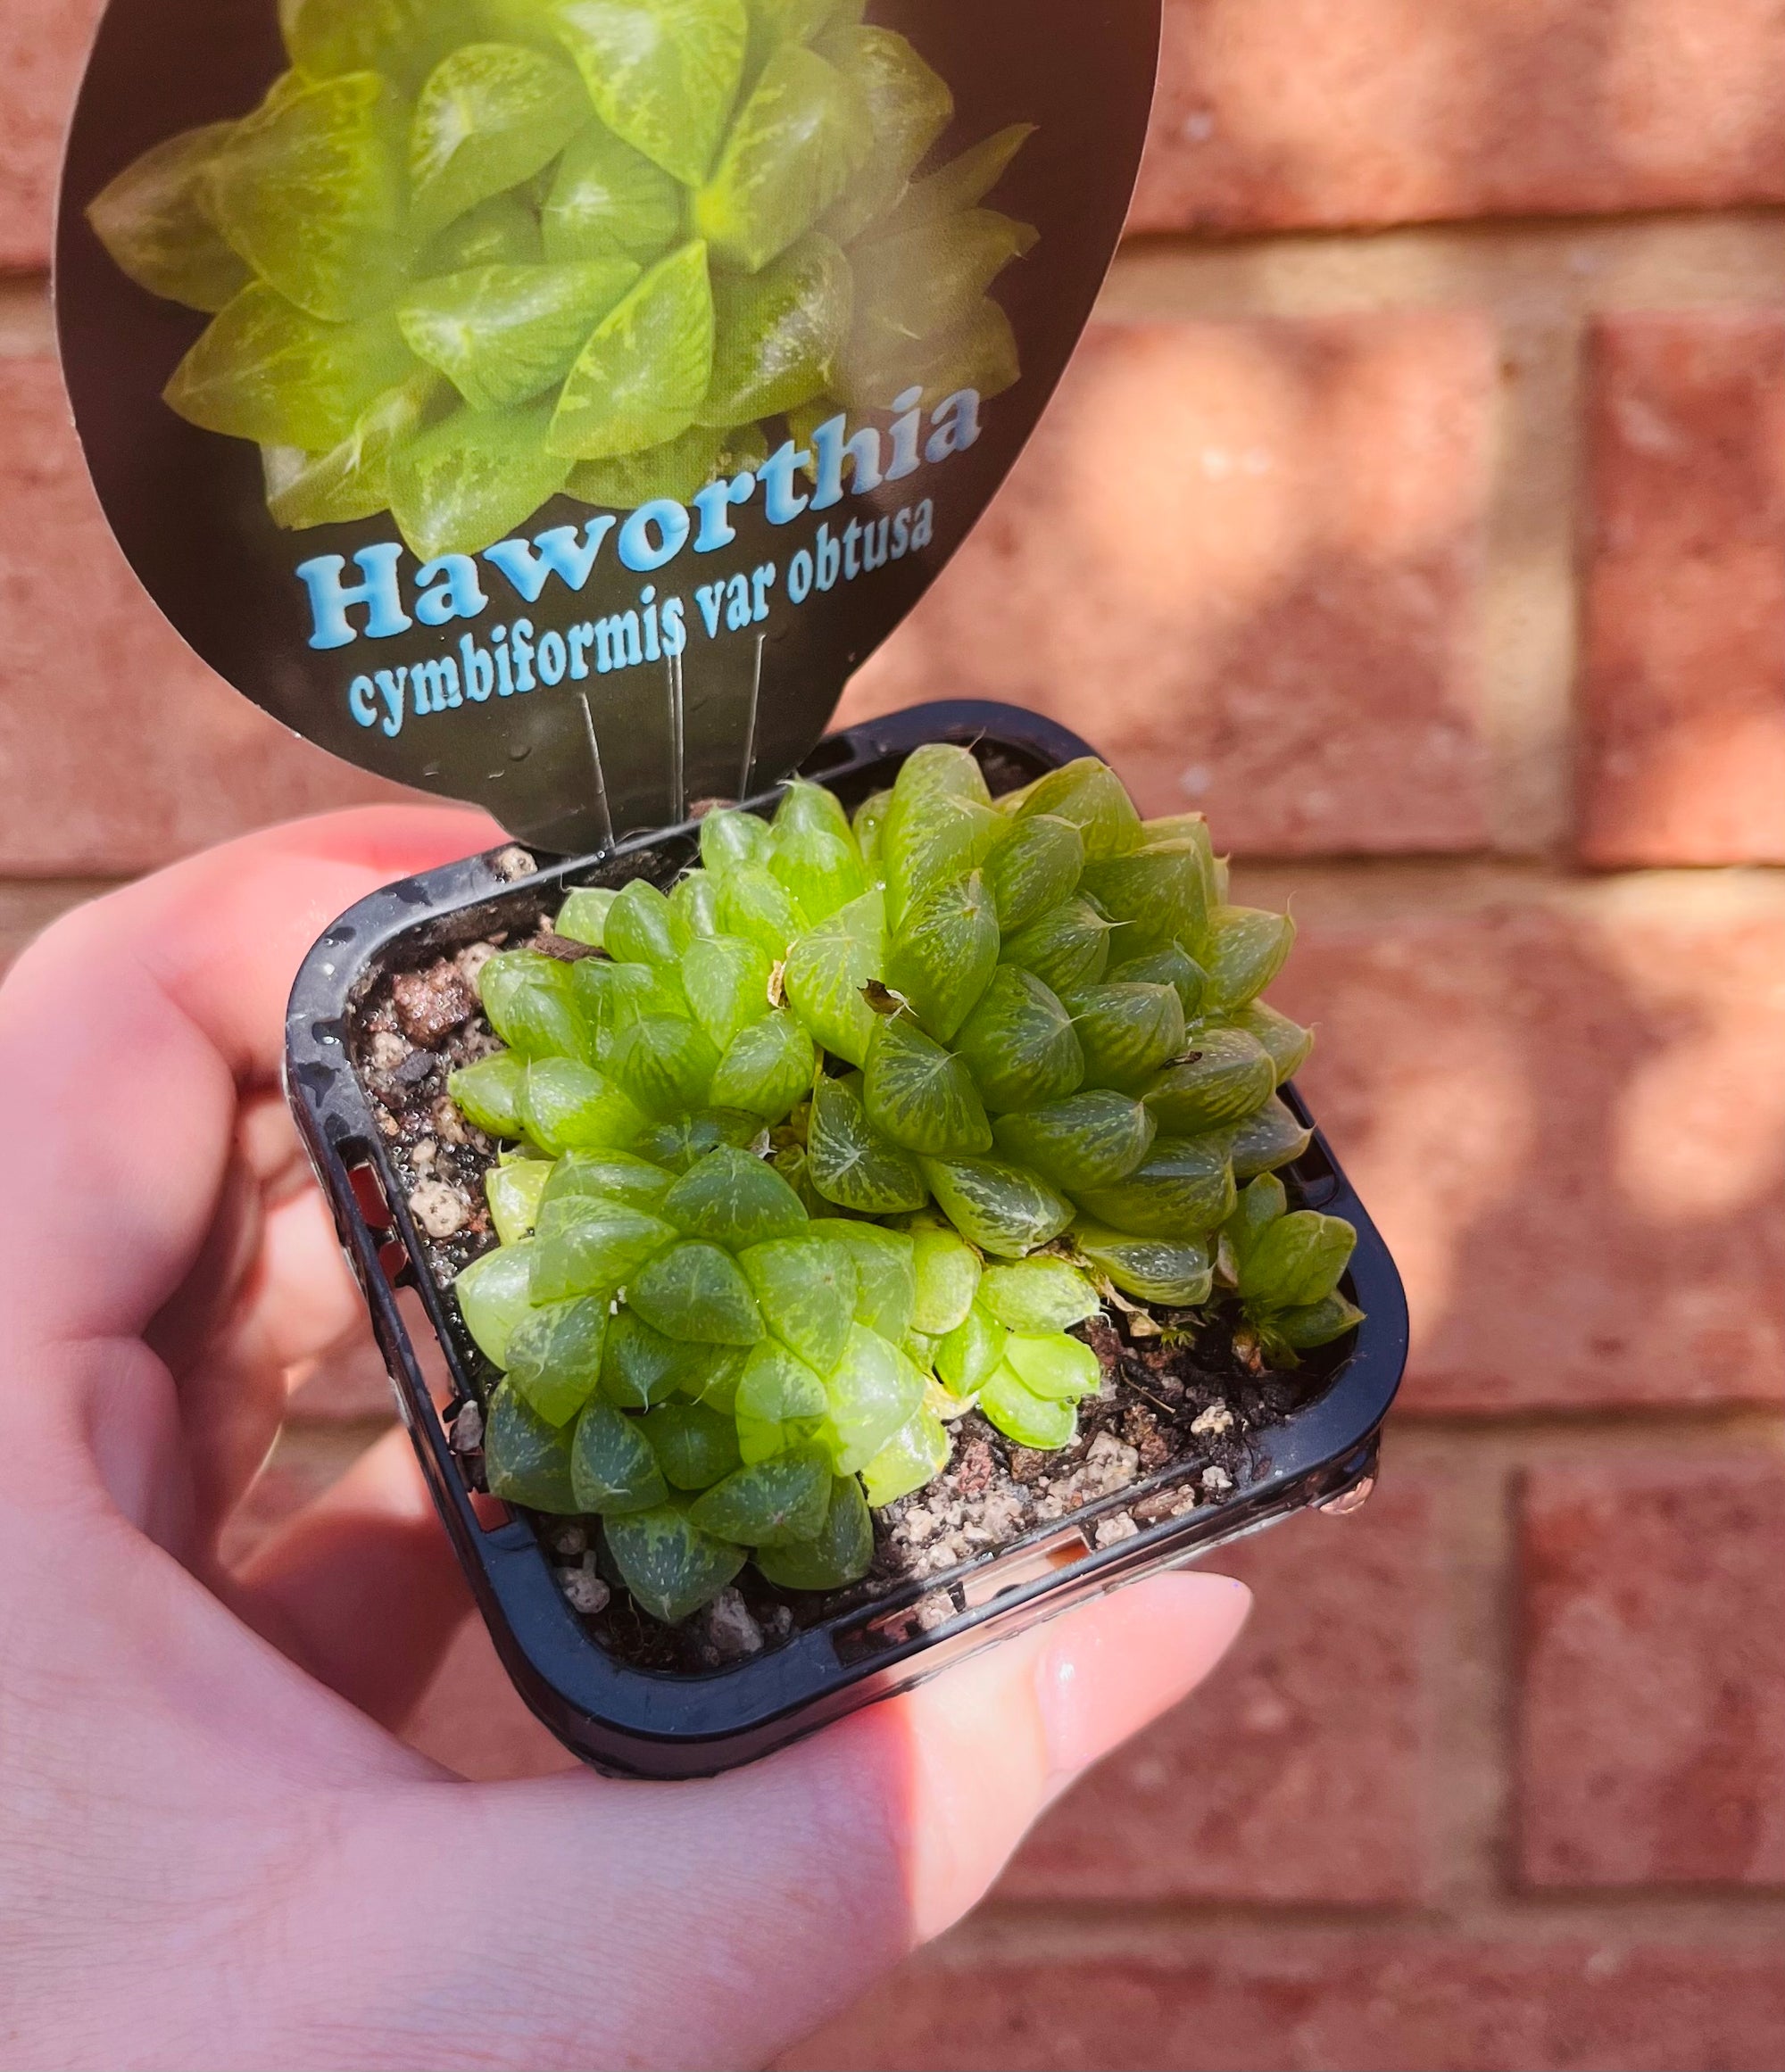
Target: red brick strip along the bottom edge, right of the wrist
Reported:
[(1297, 2001)]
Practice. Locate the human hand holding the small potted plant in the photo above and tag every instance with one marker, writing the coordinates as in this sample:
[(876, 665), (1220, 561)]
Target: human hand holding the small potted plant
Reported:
[(215, 1847)]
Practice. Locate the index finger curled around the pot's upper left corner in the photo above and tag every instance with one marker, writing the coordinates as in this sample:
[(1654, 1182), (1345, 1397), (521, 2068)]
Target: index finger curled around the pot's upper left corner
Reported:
[(127, 1035)]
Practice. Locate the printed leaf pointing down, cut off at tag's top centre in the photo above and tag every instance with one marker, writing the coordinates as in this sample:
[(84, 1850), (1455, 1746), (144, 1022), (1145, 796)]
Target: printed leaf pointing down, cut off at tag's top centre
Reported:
[(662, 74)]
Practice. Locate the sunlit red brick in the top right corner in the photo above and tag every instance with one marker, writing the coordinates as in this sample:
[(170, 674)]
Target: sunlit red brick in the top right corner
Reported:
[(1297, 113)]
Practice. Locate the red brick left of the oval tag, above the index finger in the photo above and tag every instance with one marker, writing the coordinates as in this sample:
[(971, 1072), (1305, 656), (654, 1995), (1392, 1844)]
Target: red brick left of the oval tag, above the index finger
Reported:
[(119, 749)]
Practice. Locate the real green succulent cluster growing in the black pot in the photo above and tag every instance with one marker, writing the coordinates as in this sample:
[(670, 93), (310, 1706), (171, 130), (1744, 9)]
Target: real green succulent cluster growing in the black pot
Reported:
[(814, 1157)]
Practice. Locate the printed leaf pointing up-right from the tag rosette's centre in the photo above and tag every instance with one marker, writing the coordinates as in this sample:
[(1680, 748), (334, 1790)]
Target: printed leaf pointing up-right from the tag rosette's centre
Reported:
[(795, 146)]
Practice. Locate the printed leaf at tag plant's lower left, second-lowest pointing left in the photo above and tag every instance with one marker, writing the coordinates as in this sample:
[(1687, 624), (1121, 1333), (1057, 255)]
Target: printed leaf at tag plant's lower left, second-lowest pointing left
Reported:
[(266, 372)]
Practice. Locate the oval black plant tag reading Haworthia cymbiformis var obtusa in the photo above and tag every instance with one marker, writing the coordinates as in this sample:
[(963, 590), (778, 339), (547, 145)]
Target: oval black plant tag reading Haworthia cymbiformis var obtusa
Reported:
[(552, 405)]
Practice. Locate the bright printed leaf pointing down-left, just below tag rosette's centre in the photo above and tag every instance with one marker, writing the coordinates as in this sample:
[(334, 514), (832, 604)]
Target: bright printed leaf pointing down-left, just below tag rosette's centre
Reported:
[(646, 370)]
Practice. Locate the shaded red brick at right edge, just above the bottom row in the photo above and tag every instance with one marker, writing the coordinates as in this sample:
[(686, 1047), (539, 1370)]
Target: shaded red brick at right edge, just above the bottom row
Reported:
[(1653, 1733)]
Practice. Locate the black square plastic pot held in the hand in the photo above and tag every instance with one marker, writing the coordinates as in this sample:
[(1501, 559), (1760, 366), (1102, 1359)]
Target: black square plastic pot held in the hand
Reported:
[(656, 1725)]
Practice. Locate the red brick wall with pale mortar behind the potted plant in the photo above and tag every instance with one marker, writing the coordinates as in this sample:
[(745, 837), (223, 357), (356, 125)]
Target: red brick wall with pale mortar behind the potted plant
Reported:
[(1448, 376)]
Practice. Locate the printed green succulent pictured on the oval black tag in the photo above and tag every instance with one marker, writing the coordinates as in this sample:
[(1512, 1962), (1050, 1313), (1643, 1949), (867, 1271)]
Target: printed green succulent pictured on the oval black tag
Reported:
[(470, 256)]
